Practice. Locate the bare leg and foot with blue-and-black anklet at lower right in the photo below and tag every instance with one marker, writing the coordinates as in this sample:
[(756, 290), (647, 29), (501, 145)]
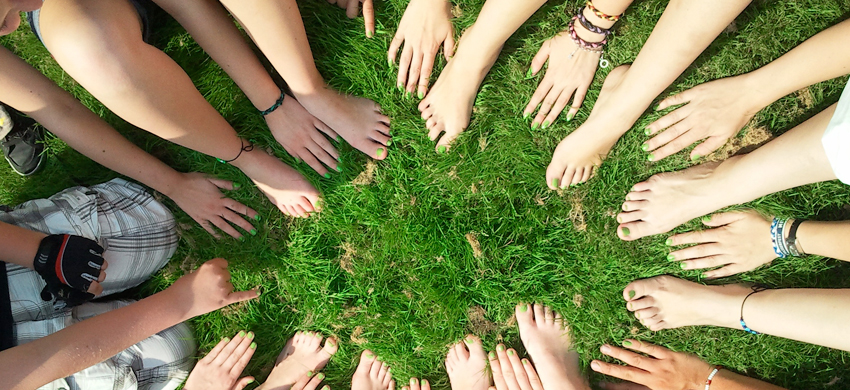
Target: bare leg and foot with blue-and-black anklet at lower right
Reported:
[(815, 316)]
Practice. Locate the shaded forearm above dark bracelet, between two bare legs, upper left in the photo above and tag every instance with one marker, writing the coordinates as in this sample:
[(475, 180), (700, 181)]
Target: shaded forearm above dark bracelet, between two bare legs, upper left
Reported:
[(210, 25)]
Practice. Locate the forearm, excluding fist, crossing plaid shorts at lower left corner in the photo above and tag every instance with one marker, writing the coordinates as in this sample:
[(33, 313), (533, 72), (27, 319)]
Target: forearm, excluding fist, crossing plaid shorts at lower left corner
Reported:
[(88, 342)]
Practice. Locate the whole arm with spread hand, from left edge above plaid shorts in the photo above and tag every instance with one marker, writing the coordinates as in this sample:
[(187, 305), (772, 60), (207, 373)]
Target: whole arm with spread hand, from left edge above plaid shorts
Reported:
[(27, 90)]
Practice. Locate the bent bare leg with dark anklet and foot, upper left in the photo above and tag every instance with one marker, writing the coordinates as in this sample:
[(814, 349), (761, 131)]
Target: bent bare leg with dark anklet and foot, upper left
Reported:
[(99, 43)]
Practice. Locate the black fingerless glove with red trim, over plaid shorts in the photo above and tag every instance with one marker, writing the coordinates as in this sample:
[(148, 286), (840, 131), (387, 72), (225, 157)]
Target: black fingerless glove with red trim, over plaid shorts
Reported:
[(68, 264)]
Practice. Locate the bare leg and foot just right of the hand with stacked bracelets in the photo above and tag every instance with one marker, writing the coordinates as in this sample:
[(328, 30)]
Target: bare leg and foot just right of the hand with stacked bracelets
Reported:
[(673, 45)]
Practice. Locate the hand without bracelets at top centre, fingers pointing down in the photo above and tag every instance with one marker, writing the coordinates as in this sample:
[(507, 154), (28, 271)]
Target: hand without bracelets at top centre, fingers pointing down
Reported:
[(425, 26)]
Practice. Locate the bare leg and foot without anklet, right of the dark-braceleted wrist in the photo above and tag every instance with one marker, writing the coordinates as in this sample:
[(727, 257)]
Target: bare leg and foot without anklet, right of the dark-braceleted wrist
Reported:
[(278, 31)]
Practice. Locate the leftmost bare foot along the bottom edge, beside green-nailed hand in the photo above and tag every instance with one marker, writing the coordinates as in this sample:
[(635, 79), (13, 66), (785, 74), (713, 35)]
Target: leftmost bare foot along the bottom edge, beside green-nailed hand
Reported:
[(303, 353)]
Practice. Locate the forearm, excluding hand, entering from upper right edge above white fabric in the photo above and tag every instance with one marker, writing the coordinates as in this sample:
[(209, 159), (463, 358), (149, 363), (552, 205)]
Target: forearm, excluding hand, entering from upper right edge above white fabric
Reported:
[(819, 58)]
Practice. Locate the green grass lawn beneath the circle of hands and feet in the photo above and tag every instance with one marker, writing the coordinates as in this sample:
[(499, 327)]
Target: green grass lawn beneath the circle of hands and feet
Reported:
[(410, 280)]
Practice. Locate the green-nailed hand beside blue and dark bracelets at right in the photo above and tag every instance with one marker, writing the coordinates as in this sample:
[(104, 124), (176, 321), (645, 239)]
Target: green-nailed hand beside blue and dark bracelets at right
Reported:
[(739, 241)]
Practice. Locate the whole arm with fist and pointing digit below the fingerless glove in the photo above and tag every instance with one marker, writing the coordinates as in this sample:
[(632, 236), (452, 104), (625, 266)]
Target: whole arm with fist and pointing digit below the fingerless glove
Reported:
[(91, 341)]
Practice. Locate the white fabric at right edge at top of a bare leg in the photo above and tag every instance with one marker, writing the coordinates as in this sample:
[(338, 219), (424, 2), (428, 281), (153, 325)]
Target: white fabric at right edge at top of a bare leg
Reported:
[(836, 138)]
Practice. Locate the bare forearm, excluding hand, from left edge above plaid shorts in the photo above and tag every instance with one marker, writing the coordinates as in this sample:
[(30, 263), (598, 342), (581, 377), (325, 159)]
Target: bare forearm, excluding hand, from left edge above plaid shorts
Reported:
[(27, 90)]
